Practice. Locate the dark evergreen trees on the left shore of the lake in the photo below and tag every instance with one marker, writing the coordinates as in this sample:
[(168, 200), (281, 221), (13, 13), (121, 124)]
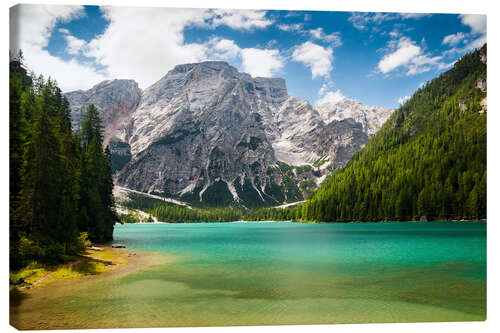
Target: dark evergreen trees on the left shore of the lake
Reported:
[(60, 194)]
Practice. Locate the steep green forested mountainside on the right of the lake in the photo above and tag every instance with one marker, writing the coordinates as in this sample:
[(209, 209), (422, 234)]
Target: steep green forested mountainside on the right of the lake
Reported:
[(428, 161)]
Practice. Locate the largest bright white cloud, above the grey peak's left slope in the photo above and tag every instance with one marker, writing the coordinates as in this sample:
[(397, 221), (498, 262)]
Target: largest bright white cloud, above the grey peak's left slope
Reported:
[(144, 43)]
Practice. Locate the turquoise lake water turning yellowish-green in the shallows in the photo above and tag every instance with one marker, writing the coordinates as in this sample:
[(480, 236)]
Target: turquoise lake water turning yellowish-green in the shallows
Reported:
[(286, 273)]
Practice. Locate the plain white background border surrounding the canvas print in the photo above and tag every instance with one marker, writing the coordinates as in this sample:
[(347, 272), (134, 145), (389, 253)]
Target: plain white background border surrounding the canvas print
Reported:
[(422, 6)]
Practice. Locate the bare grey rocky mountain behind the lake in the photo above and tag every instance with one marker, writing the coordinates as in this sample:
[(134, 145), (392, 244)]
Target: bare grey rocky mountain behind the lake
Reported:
[(208, 134)]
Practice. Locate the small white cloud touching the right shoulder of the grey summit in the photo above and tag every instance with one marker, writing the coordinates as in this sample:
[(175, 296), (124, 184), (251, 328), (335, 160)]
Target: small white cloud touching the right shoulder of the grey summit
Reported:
[(258, 62)]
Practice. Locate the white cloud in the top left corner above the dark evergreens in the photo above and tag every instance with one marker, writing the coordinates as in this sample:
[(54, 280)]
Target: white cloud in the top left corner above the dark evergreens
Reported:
[(31, 27)]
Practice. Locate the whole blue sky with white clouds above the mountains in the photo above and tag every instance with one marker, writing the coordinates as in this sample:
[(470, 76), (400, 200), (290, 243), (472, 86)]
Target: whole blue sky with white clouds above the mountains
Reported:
[(376, 58)]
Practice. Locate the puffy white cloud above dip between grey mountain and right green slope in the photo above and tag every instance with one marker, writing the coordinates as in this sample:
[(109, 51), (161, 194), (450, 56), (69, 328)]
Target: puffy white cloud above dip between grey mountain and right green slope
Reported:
[(407, 55)]
